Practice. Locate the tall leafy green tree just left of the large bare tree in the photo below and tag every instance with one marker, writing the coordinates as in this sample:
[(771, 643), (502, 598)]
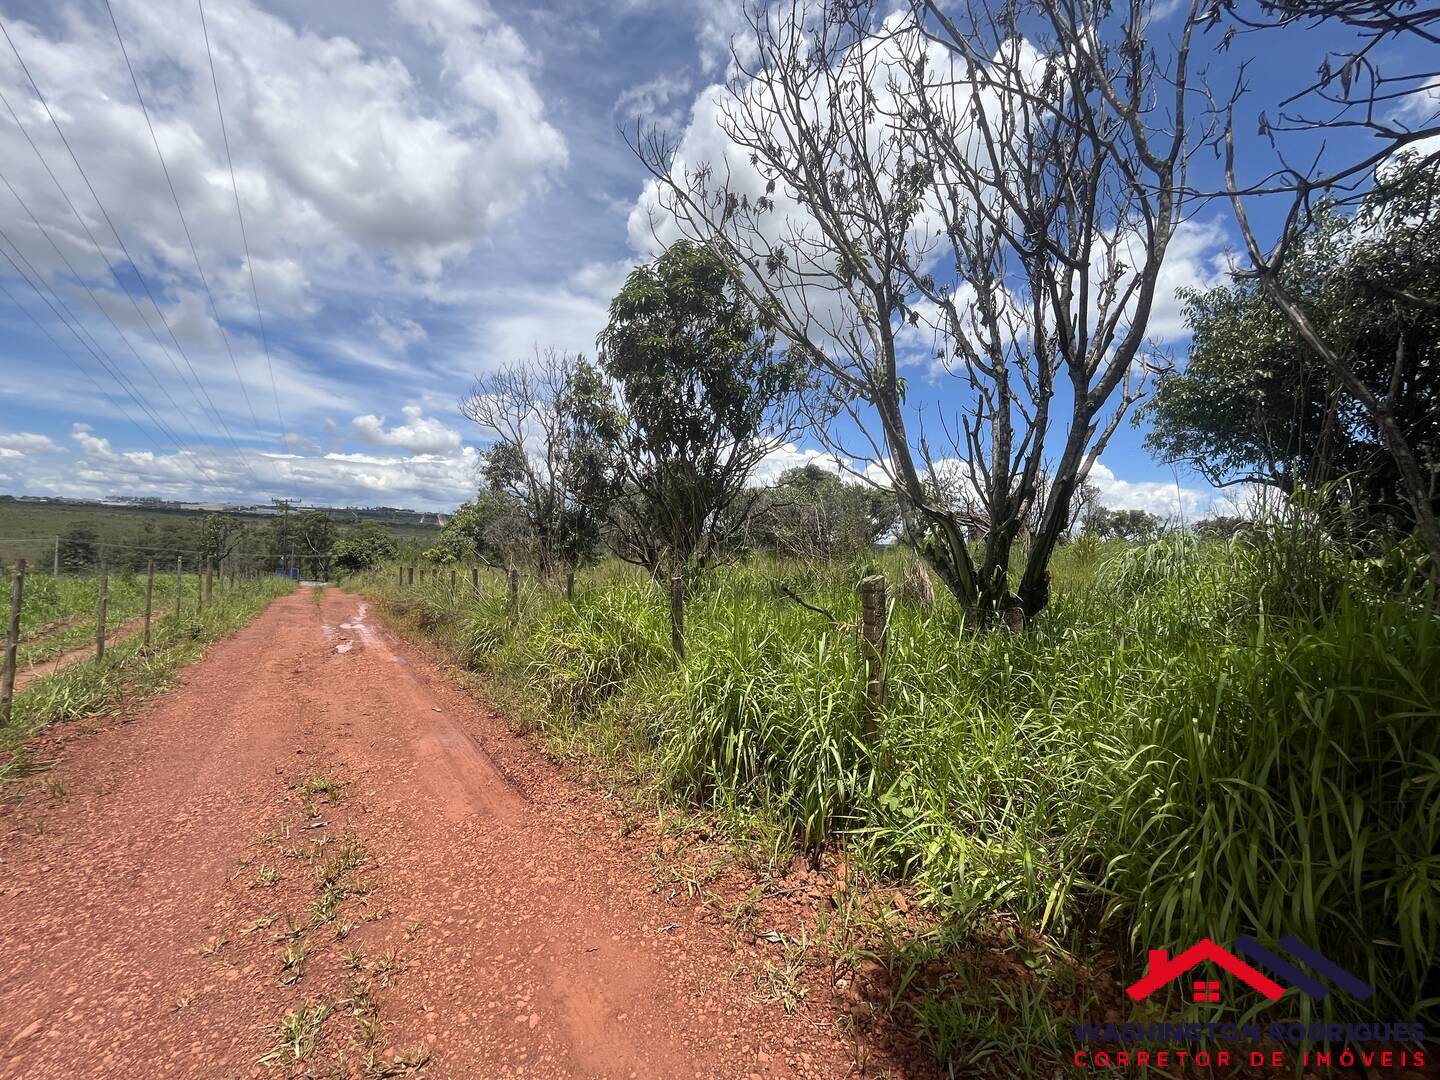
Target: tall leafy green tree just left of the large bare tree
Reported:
[(705, 397)]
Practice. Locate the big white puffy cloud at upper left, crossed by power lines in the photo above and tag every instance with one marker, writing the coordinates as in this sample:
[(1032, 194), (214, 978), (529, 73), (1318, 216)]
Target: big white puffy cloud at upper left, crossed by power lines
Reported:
[(341, 152)]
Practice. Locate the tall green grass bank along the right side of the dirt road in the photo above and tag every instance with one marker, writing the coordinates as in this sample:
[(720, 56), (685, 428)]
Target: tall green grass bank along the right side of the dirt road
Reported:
[(1194, 739)]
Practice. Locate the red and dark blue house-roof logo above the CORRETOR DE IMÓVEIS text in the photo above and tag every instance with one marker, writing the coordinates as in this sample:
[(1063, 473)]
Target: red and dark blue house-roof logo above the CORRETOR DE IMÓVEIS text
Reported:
[(1166, 970)]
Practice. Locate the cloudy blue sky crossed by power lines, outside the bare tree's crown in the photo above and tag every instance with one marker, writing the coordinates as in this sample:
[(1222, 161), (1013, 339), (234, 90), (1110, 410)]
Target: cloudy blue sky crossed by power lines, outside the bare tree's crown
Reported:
[(431, 188)]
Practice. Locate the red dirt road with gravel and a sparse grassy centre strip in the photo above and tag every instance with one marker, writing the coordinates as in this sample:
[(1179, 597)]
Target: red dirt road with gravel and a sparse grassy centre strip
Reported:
[(159, 879)]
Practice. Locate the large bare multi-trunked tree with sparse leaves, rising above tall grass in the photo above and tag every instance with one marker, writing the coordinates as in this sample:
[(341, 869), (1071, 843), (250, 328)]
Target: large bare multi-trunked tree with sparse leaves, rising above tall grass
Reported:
[(983, 204)]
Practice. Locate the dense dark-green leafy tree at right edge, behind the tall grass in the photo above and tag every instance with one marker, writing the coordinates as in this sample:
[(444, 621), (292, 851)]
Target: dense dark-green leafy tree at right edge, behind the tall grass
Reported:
[(1259, 404)]
